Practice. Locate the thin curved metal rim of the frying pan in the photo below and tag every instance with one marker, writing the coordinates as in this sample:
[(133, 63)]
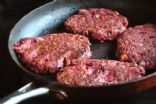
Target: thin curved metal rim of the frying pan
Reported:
[(58, 83)]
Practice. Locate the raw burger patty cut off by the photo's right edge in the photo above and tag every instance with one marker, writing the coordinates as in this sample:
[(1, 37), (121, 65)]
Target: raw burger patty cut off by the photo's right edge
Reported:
[(138, 45)]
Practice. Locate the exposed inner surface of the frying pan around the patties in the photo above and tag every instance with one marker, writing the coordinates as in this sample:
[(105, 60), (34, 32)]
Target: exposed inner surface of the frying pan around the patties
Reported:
[(50, 17)]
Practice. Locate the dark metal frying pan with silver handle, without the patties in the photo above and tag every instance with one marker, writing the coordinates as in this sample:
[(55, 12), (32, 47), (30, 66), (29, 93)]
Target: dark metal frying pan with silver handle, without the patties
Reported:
[(49, 18)]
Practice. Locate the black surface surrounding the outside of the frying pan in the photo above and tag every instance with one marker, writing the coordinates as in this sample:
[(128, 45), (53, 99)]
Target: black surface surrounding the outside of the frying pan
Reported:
[(11, 78)]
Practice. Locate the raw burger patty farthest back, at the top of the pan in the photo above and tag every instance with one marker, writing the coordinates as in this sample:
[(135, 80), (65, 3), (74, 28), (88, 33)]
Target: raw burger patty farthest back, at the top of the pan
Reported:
[(98, 23)]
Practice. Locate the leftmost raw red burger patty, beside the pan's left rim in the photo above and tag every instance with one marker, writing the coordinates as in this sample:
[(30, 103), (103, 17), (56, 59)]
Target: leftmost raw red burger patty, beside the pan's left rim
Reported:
[(48, 52)]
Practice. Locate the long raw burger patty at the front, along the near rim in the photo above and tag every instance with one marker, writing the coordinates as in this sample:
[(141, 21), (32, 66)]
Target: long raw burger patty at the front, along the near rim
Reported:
[(88, 72)]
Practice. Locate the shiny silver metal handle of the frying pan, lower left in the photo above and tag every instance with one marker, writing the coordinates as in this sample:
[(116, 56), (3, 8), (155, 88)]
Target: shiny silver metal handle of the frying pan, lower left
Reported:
[(29, 91)]
